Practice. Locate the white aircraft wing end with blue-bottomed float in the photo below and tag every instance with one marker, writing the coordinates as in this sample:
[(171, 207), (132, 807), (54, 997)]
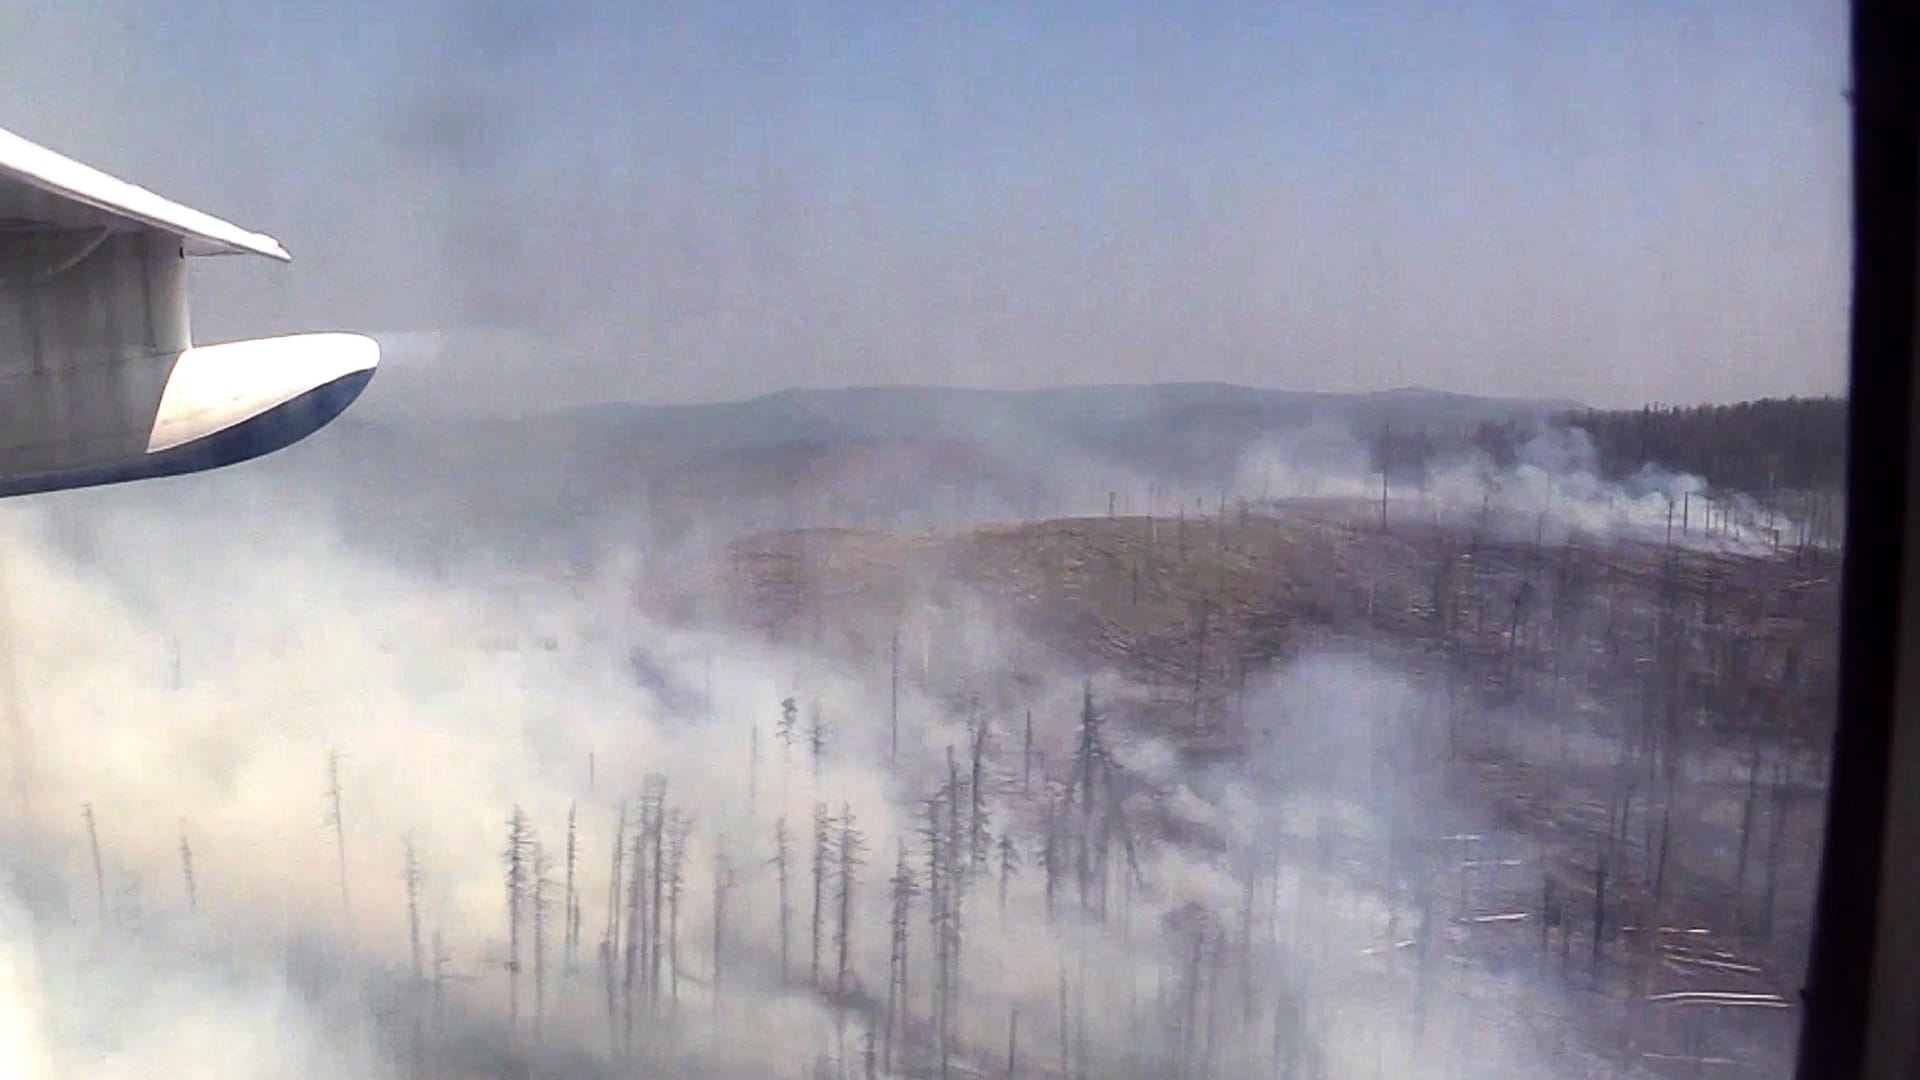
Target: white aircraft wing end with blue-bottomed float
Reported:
[(101, 380)]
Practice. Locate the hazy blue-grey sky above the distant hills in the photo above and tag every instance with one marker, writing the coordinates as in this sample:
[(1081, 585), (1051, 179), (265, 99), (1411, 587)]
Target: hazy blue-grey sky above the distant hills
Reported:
[(1614, 203)]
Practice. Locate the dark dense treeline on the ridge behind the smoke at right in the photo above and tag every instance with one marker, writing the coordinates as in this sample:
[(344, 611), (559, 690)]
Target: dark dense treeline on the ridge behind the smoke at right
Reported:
[(1754, 447)]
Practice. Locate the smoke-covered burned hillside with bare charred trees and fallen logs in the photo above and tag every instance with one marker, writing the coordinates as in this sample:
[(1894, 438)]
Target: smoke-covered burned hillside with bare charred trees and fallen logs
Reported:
[(1481, 773)]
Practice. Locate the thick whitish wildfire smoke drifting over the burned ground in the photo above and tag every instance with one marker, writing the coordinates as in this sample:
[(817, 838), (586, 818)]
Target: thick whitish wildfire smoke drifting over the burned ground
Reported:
[(191, 656)]
